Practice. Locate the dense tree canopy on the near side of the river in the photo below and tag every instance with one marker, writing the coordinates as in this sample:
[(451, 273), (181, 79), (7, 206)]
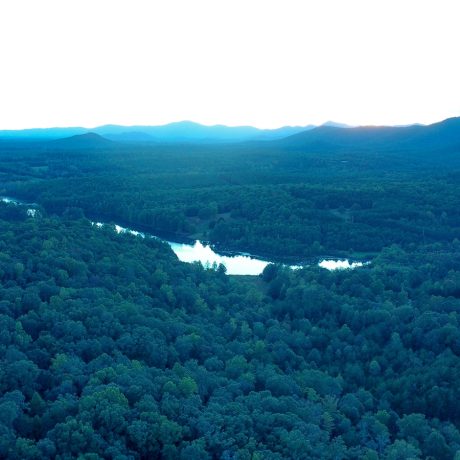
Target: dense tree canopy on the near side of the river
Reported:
[(111, 348)]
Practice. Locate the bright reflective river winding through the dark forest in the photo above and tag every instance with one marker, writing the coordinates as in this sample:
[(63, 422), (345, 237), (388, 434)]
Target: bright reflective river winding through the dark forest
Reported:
[(240, 264)]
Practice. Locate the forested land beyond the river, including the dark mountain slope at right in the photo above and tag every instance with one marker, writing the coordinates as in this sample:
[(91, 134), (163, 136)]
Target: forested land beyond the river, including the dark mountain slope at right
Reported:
[(290, 199)]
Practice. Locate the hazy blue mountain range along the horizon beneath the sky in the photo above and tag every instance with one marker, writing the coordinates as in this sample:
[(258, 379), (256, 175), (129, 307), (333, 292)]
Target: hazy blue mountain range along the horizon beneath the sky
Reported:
[(331, 137)]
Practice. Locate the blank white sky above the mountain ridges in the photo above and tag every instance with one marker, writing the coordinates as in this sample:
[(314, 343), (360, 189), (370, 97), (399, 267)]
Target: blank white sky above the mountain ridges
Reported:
[(237, 62)]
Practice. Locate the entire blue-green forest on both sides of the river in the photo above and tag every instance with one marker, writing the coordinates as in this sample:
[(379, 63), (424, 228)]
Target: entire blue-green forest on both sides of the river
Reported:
[(111, 348)]
